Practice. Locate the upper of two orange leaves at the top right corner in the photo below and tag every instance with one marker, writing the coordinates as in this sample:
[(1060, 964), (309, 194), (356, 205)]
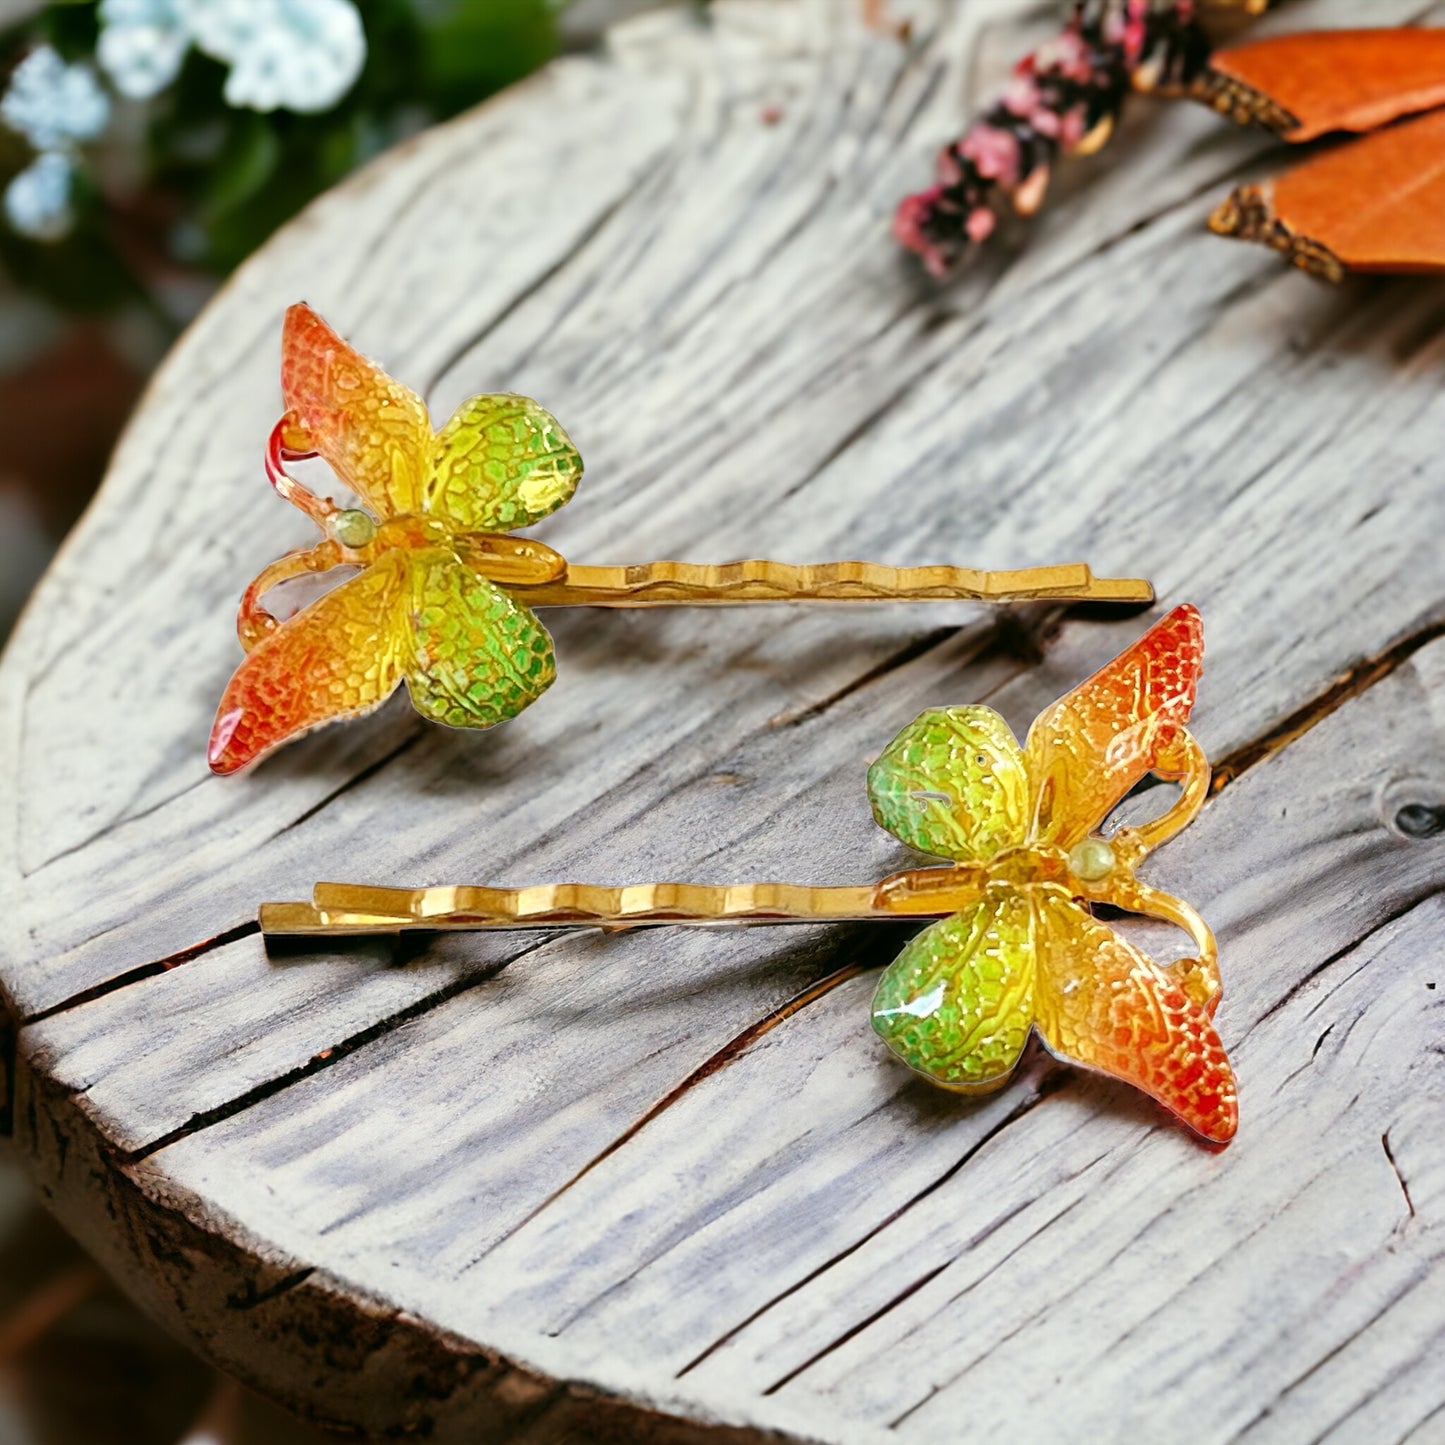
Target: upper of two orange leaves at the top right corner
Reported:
[(1311, 83)]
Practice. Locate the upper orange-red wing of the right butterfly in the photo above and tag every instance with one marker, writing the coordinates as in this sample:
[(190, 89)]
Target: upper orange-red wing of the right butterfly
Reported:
[(1092, 746)]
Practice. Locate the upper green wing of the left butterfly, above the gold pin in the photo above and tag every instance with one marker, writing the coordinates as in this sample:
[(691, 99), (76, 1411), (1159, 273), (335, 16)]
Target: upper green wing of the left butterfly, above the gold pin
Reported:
[(499, 465)]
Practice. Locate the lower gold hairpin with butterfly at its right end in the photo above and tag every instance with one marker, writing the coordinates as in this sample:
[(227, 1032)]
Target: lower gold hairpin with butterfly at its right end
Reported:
[(1017, 947)]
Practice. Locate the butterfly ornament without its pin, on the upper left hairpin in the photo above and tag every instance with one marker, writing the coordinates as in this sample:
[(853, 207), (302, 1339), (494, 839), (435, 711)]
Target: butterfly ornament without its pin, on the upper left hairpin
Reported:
[(424, 609)]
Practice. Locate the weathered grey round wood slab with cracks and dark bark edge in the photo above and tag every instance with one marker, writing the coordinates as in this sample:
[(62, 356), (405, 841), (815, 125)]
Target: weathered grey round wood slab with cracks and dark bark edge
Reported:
[(550, 1189)]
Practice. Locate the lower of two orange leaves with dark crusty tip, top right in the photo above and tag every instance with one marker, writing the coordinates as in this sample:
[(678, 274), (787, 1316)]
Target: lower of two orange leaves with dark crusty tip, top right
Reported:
[(1376, 204)]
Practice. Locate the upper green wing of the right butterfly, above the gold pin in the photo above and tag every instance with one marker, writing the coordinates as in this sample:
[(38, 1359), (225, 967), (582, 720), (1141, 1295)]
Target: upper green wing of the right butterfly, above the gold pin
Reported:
[(953, 784)]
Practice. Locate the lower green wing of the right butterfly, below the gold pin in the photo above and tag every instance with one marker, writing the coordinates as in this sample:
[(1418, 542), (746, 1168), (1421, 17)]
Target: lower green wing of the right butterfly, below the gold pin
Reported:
[(959, 1002)]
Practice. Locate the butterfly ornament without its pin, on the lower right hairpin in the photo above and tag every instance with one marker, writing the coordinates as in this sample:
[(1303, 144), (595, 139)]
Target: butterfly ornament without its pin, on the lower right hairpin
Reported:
[(1025, 953)]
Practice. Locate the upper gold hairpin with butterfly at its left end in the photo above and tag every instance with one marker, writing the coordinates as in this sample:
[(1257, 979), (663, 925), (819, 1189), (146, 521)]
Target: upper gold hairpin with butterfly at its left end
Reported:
[(446, 596)]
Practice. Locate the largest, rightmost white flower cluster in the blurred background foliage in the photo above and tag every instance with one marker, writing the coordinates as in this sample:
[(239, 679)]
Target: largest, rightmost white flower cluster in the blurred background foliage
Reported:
[(284, 54)]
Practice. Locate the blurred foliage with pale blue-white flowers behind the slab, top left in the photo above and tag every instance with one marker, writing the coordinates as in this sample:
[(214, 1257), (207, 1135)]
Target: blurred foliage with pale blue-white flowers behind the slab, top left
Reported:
[(181, 184)]
